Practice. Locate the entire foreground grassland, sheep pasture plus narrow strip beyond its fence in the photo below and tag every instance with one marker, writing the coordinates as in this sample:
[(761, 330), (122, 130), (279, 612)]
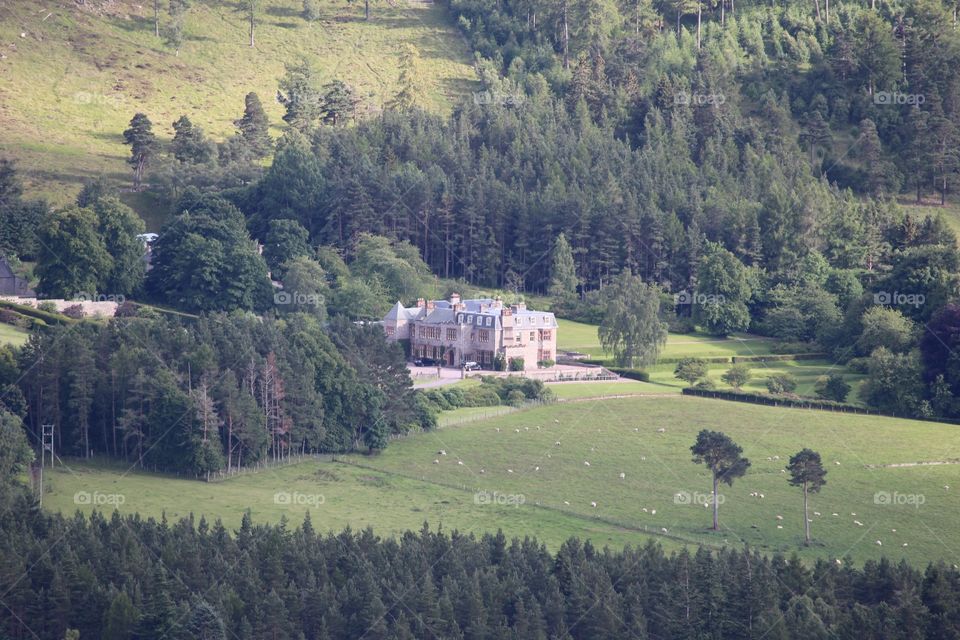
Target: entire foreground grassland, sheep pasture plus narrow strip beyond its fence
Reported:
[(403, 487)]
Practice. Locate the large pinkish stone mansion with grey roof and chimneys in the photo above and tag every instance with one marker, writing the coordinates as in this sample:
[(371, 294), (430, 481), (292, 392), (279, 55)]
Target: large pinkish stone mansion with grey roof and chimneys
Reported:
[(456, 331)]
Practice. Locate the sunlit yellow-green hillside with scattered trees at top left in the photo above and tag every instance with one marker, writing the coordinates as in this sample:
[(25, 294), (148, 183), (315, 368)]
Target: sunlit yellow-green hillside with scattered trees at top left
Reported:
[(71, 83)]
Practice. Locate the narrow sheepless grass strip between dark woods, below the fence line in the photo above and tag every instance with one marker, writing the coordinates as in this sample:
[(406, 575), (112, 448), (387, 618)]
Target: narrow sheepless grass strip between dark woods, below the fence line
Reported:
[(346, 496)]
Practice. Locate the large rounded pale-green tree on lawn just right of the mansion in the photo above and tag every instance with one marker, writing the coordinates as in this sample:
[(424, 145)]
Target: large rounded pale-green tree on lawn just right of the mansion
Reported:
[(631, 327)]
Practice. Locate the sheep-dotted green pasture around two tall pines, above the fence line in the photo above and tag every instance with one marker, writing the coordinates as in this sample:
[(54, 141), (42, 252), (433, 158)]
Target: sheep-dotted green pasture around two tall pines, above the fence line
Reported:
[(657, 466)]
